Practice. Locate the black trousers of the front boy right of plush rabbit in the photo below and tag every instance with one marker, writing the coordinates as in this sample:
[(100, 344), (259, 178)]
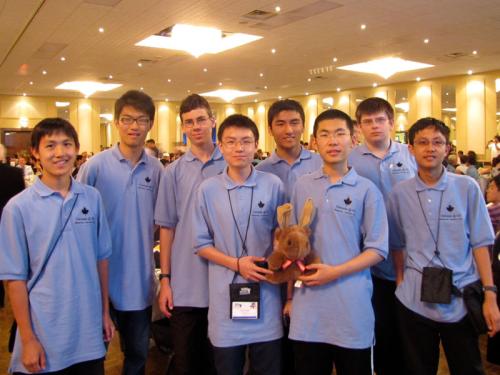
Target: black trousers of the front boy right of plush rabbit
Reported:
[(312, 358)]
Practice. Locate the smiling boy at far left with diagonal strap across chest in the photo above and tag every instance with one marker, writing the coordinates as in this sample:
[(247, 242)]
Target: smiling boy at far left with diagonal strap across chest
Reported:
[(54, 251)]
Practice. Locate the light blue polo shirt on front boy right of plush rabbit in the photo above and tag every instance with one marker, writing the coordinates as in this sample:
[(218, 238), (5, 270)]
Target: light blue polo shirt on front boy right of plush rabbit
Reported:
[(349, 213)]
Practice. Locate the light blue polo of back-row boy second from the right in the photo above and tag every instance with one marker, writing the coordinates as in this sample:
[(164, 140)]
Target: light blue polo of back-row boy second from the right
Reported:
[(398, 165)]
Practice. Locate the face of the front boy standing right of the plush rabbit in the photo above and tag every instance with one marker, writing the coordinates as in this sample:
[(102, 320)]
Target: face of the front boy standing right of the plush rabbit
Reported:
[(334, 141)]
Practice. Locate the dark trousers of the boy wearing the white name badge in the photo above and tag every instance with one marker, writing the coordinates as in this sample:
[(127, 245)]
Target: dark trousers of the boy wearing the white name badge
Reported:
[(264, 358)]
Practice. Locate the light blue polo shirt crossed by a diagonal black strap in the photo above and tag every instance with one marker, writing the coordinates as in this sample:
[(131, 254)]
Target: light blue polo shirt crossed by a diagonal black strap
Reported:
[(65, 303)]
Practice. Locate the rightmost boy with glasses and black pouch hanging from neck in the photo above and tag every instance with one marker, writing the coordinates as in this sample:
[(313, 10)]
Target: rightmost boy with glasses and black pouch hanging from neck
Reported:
[(441, 222)]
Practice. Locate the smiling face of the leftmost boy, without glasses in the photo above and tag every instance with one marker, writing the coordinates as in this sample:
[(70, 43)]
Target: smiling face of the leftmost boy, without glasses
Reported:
[(56, 154)]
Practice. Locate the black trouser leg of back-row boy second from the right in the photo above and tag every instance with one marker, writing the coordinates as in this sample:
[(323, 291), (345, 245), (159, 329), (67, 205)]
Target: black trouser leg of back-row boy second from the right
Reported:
[(388, 353)]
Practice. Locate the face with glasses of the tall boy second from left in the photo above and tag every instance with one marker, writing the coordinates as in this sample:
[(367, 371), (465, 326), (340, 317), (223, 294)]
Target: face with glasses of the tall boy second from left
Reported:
[(133, 126)]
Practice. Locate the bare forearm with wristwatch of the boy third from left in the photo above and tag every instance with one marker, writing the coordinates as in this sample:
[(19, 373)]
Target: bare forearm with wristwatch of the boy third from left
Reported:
[(165, 298)]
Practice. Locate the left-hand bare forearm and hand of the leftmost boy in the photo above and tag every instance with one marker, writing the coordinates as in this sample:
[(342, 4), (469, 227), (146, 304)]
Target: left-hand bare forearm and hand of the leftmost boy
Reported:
[(33, 354)]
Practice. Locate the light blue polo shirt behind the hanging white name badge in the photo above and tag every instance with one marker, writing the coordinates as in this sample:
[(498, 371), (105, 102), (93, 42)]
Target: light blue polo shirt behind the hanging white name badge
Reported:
[(215, 227)]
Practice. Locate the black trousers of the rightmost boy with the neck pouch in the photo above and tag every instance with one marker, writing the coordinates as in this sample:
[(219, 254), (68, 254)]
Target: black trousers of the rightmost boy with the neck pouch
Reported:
[(421, 340)]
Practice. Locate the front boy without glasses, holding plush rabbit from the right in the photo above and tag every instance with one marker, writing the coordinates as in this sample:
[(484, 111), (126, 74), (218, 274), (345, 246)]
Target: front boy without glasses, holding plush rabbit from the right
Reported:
[(332, 320)]
